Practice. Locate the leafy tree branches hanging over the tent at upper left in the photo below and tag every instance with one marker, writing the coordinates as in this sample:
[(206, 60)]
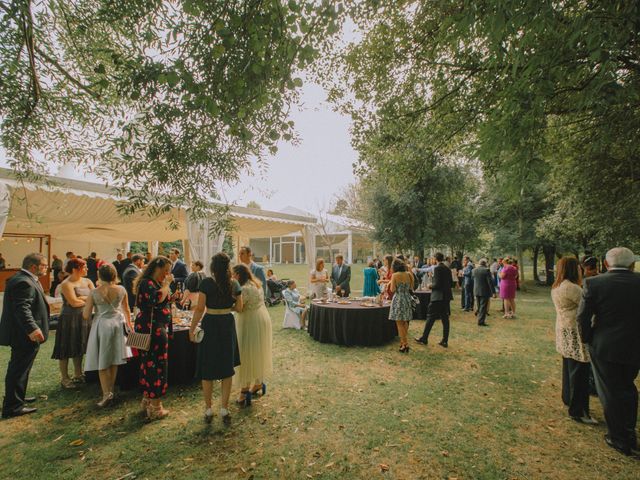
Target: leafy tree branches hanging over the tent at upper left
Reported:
[(163, 100)]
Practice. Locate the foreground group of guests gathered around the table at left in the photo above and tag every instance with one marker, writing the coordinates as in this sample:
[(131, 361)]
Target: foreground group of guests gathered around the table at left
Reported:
[(95, 321)]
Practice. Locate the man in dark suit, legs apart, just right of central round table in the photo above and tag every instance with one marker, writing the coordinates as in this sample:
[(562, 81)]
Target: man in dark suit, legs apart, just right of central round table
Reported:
[(439, 306)]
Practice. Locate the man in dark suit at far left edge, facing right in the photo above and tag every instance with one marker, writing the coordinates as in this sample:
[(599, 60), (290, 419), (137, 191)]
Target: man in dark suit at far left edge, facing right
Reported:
[(24, 325)]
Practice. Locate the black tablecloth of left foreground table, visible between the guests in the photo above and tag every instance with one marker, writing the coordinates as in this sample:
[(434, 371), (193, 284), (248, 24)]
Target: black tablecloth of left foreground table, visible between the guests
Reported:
[(182, 364)]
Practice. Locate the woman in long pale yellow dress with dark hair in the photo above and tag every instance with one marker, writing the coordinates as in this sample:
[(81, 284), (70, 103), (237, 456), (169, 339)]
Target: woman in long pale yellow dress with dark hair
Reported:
[(253, 327)]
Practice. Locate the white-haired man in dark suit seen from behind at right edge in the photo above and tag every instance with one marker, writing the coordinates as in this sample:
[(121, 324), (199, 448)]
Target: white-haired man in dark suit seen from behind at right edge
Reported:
[(612, 301)]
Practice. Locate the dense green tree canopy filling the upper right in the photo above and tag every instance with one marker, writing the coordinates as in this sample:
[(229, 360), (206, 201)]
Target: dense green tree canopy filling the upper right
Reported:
[(508, 83)]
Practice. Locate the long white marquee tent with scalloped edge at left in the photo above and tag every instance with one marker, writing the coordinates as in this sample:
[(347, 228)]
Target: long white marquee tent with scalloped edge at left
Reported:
[(85, 215)]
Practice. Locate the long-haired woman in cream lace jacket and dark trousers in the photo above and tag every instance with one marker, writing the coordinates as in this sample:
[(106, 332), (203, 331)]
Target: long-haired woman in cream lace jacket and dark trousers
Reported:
[(566, 294)]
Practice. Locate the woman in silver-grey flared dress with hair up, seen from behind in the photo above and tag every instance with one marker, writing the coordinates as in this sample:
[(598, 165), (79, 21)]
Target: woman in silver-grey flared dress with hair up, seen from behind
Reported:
[(106, 348)]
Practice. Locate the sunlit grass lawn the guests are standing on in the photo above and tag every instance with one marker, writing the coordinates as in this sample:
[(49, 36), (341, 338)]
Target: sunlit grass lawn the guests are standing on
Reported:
[(488, 407)]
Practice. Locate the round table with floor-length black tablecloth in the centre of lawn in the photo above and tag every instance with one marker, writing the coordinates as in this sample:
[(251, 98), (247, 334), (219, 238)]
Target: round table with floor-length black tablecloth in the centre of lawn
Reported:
[(351, 324)]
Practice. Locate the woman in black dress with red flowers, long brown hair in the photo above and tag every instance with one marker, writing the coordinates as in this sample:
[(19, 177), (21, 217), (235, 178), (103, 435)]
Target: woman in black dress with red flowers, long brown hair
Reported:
[(153, 296)]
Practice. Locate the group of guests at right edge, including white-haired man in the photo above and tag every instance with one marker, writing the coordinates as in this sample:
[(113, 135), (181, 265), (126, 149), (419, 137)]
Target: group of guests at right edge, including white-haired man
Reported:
[(598, 333)]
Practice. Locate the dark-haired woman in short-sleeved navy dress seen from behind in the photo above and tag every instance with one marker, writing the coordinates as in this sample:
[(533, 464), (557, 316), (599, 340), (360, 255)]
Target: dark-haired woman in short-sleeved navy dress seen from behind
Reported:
[(218, 353)]
